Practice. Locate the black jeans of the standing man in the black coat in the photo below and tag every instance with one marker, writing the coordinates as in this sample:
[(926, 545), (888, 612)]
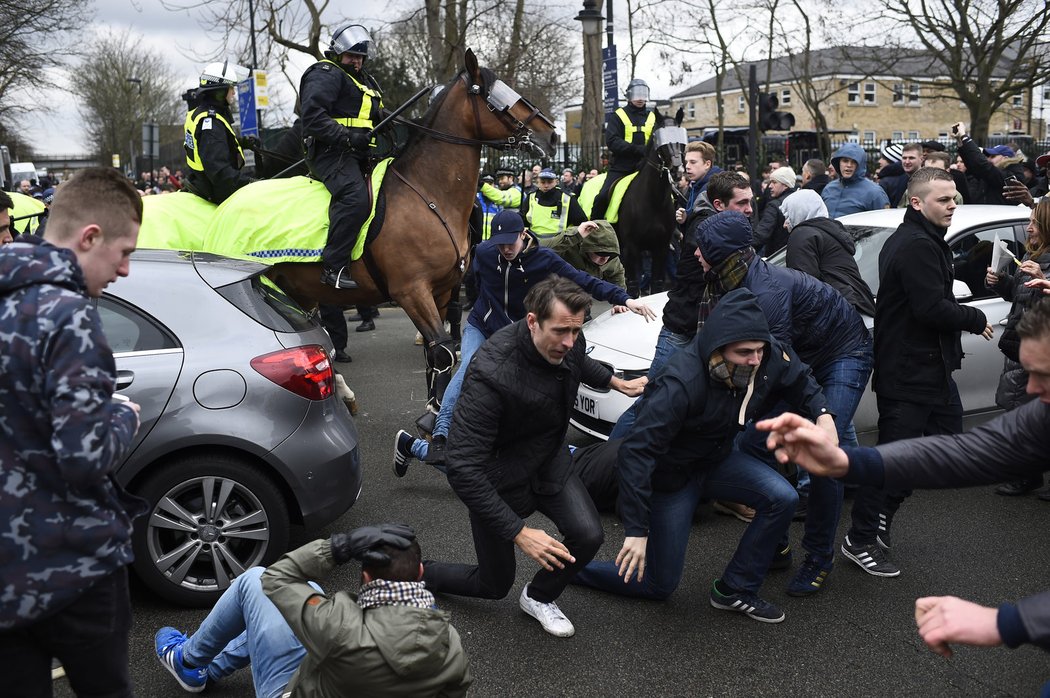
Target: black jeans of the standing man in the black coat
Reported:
[(899, 420)]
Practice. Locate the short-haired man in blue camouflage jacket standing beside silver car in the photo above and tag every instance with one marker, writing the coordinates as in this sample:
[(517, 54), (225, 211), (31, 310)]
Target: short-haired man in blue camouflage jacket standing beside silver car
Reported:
[(68, 538)]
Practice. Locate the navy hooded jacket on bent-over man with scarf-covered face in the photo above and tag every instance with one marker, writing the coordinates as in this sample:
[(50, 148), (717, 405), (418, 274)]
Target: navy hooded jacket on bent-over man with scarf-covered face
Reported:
[(804, 313)]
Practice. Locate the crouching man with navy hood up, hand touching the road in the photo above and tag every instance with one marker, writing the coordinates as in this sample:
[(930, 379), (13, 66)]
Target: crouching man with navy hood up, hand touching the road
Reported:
[(681, 449)]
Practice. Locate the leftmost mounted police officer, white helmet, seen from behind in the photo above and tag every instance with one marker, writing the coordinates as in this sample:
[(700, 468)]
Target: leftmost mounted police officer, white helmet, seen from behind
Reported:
[(214, 155)]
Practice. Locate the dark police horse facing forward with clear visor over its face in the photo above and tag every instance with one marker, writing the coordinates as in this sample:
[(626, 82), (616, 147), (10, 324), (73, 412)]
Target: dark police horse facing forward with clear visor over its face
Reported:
[(646, 218)]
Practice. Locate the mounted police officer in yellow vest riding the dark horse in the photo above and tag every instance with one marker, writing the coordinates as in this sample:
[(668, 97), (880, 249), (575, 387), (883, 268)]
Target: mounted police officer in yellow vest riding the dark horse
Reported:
[(627, 133)]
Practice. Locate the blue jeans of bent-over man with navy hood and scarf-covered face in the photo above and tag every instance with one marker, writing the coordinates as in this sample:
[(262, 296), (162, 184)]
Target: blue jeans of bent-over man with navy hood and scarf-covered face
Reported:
[(843, 382)]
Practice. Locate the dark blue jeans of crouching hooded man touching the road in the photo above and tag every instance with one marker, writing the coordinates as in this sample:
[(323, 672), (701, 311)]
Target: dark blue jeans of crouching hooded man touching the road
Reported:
[(740, 478)]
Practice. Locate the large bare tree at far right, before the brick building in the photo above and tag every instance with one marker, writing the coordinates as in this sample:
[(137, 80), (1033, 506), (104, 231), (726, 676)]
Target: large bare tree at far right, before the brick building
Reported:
[(989, 50)]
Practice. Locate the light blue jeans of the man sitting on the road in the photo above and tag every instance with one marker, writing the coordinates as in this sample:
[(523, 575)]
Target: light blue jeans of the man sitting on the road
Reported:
[(243, 628)]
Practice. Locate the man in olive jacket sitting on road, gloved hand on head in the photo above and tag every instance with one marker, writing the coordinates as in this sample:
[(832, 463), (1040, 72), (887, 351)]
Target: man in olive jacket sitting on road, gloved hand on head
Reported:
[(390, 640)]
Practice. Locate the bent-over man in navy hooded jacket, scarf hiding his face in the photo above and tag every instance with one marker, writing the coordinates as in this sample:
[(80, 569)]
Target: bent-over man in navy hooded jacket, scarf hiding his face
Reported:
[(827, 333)]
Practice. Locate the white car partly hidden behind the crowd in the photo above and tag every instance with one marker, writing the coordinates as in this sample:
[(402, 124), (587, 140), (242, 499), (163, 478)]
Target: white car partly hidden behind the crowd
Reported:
[(626, 343)]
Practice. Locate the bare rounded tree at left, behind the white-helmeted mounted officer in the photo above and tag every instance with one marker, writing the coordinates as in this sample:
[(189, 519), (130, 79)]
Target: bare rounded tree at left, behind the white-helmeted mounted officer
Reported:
[(119, 87)]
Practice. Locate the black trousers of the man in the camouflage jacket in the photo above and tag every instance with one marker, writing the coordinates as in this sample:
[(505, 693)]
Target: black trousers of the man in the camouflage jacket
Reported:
[(90, 638)]
